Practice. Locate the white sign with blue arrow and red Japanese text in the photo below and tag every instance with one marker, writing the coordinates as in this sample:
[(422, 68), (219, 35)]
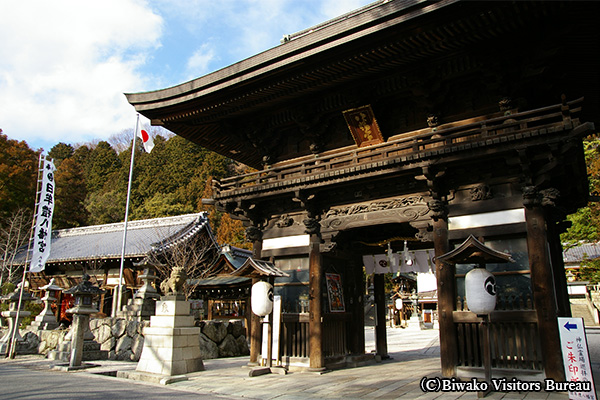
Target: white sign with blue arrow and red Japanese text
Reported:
[(576, 359)]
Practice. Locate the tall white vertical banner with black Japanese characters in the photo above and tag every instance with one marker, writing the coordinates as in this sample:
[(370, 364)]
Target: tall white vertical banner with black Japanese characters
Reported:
[(43, 223)]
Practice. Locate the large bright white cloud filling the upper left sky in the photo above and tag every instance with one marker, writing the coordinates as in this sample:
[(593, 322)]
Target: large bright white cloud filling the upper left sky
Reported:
[(65, 65)]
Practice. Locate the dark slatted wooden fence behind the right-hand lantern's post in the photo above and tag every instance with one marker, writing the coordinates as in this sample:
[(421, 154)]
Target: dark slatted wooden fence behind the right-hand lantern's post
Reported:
[(513, 334)]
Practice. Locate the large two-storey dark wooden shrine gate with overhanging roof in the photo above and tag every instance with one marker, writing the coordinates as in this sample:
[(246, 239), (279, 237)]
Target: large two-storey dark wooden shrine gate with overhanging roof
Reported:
[(415, 121)]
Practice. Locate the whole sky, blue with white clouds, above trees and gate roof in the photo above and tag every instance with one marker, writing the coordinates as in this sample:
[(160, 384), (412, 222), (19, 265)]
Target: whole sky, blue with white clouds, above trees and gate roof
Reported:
[(65, 64)]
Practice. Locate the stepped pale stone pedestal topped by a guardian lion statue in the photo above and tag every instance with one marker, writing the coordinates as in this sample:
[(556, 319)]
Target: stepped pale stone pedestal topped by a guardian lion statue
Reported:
[(171, 342)]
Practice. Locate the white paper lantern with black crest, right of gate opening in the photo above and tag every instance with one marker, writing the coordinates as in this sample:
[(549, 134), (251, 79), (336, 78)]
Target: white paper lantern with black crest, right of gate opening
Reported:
[(480, 290)]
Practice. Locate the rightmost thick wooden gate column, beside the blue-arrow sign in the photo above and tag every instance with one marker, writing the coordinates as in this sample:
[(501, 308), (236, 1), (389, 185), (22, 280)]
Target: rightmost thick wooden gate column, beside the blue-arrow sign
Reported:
[(542, 283)]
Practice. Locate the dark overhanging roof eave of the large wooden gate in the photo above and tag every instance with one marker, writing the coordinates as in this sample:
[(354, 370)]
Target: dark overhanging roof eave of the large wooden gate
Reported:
[(407, 47)]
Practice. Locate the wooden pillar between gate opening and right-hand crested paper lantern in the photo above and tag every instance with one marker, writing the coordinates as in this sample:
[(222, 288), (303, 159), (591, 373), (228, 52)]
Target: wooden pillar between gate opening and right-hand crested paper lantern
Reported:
[(446, 283)]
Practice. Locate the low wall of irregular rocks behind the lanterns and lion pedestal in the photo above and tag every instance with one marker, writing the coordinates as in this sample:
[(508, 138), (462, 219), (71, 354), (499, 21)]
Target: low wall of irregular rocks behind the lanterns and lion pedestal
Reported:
[(124, 339)]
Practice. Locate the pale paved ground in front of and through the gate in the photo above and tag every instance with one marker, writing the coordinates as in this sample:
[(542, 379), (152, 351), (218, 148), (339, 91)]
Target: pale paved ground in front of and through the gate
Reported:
[(415, 354)]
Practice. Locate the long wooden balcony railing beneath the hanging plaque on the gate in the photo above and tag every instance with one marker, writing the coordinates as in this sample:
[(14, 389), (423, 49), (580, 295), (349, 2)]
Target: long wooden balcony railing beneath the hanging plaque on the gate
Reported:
[(406, 147)]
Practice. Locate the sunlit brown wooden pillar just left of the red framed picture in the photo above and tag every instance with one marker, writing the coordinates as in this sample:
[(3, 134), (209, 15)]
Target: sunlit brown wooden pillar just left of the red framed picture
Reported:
[(315, 269)]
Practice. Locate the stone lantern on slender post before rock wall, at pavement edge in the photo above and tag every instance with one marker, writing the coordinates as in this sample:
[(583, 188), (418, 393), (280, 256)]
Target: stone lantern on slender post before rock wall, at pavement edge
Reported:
[(84, 294)]
